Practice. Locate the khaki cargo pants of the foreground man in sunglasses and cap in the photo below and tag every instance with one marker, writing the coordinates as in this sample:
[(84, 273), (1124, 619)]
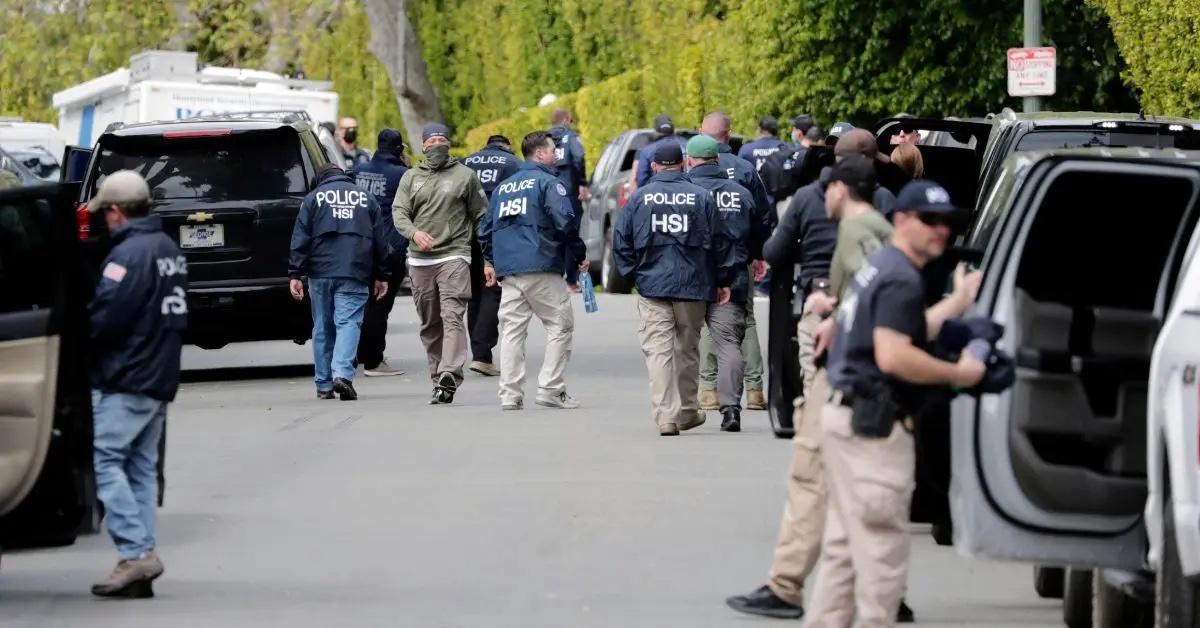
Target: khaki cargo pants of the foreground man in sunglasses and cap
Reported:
[(866, 551)]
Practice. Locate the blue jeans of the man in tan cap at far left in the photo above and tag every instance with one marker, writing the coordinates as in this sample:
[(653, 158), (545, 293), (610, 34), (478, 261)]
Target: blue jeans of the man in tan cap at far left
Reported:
[(125, 454)]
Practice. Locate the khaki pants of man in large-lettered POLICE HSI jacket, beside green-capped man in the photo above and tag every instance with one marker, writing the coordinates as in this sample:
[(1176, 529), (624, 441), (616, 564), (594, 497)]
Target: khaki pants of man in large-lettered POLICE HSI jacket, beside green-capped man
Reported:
[(670, 337)]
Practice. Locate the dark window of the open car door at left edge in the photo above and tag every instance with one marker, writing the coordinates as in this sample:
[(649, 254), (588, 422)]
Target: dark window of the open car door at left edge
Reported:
[(27, 270)]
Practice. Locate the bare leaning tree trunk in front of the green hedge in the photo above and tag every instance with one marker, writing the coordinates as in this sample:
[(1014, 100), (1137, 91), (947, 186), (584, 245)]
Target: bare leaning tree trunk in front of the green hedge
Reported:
[(395, 44)]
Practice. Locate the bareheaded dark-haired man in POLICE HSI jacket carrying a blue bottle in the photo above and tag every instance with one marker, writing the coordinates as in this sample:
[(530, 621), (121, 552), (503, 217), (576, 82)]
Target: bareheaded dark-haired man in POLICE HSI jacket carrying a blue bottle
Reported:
[(527, 238)]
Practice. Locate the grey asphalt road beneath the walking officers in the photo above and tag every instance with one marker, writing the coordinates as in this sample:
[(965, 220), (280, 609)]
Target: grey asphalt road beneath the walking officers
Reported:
[(286, 511)]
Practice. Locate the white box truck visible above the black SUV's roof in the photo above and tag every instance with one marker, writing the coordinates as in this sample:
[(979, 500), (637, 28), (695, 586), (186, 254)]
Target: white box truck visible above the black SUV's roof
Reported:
[(169, 86)]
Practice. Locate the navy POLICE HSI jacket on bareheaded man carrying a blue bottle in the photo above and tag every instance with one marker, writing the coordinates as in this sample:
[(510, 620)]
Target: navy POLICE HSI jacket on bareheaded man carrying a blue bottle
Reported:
[(530, 226)]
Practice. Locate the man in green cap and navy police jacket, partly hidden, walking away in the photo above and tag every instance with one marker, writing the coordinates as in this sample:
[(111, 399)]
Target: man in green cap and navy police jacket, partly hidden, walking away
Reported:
[(739, 235)]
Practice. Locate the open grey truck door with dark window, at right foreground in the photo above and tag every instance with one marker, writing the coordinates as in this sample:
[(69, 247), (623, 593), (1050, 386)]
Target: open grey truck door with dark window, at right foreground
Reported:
[(1054, 470)]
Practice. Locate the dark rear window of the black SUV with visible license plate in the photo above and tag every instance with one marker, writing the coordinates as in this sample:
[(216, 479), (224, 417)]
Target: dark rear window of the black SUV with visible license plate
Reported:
[(248, 165)]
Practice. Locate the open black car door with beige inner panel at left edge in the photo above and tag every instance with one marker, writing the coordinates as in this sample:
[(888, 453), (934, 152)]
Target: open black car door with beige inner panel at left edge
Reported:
[(46, 480)]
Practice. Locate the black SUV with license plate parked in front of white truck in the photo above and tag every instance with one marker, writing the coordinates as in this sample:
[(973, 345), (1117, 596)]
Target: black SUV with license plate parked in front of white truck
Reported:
[(229, 189)]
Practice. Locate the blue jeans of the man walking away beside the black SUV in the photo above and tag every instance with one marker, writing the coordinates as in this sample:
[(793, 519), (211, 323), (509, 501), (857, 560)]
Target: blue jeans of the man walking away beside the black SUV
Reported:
[(338, 308)]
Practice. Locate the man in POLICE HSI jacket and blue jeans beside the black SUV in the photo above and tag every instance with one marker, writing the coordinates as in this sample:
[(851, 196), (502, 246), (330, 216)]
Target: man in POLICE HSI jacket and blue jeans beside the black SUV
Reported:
[(341, 243)]
